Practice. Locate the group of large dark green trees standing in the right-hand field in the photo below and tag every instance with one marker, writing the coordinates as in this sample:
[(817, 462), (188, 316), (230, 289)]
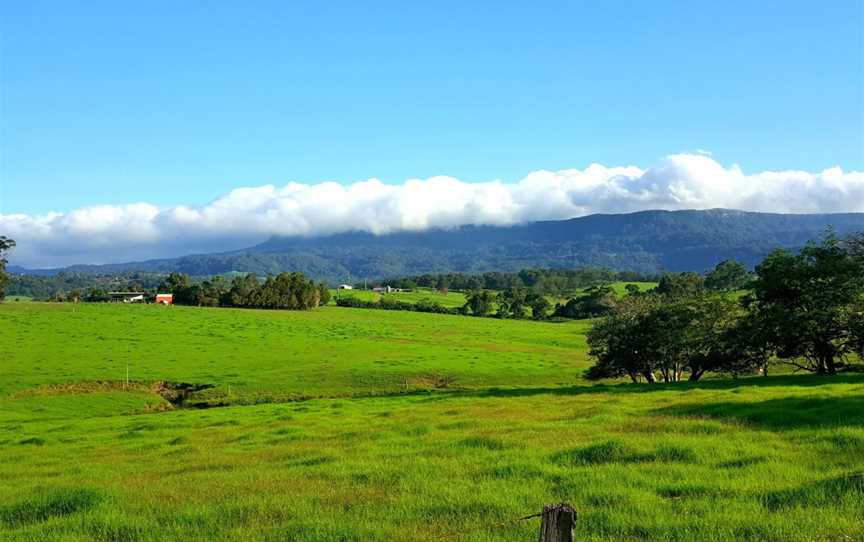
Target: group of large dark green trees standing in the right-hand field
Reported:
[(804, 308)]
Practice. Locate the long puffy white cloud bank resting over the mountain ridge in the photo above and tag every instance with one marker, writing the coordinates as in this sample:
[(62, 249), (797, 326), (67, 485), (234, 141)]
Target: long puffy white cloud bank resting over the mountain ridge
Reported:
[(112, 233)]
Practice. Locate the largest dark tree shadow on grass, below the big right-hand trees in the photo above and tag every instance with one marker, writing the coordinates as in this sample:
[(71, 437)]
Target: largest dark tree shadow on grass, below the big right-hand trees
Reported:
[(785, 413)]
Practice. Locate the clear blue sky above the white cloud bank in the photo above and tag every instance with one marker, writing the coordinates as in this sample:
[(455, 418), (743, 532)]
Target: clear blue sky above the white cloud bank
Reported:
[(177, 103)]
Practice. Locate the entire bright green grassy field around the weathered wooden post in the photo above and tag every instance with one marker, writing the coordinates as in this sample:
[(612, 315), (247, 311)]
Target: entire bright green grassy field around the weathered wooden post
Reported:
[(423, 427)]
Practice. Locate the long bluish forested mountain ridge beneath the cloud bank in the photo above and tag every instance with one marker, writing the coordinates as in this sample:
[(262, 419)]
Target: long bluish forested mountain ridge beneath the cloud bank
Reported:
[(648, 241)]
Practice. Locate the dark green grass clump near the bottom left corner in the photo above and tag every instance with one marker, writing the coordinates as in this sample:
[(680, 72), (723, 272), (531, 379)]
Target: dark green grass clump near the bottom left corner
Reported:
[(56, 503)]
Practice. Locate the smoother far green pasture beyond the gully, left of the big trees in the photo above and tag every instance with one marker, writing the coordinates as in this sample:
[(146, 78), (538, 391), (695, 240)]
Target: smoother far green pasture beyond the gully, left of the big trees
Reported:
[(266, 355)]
